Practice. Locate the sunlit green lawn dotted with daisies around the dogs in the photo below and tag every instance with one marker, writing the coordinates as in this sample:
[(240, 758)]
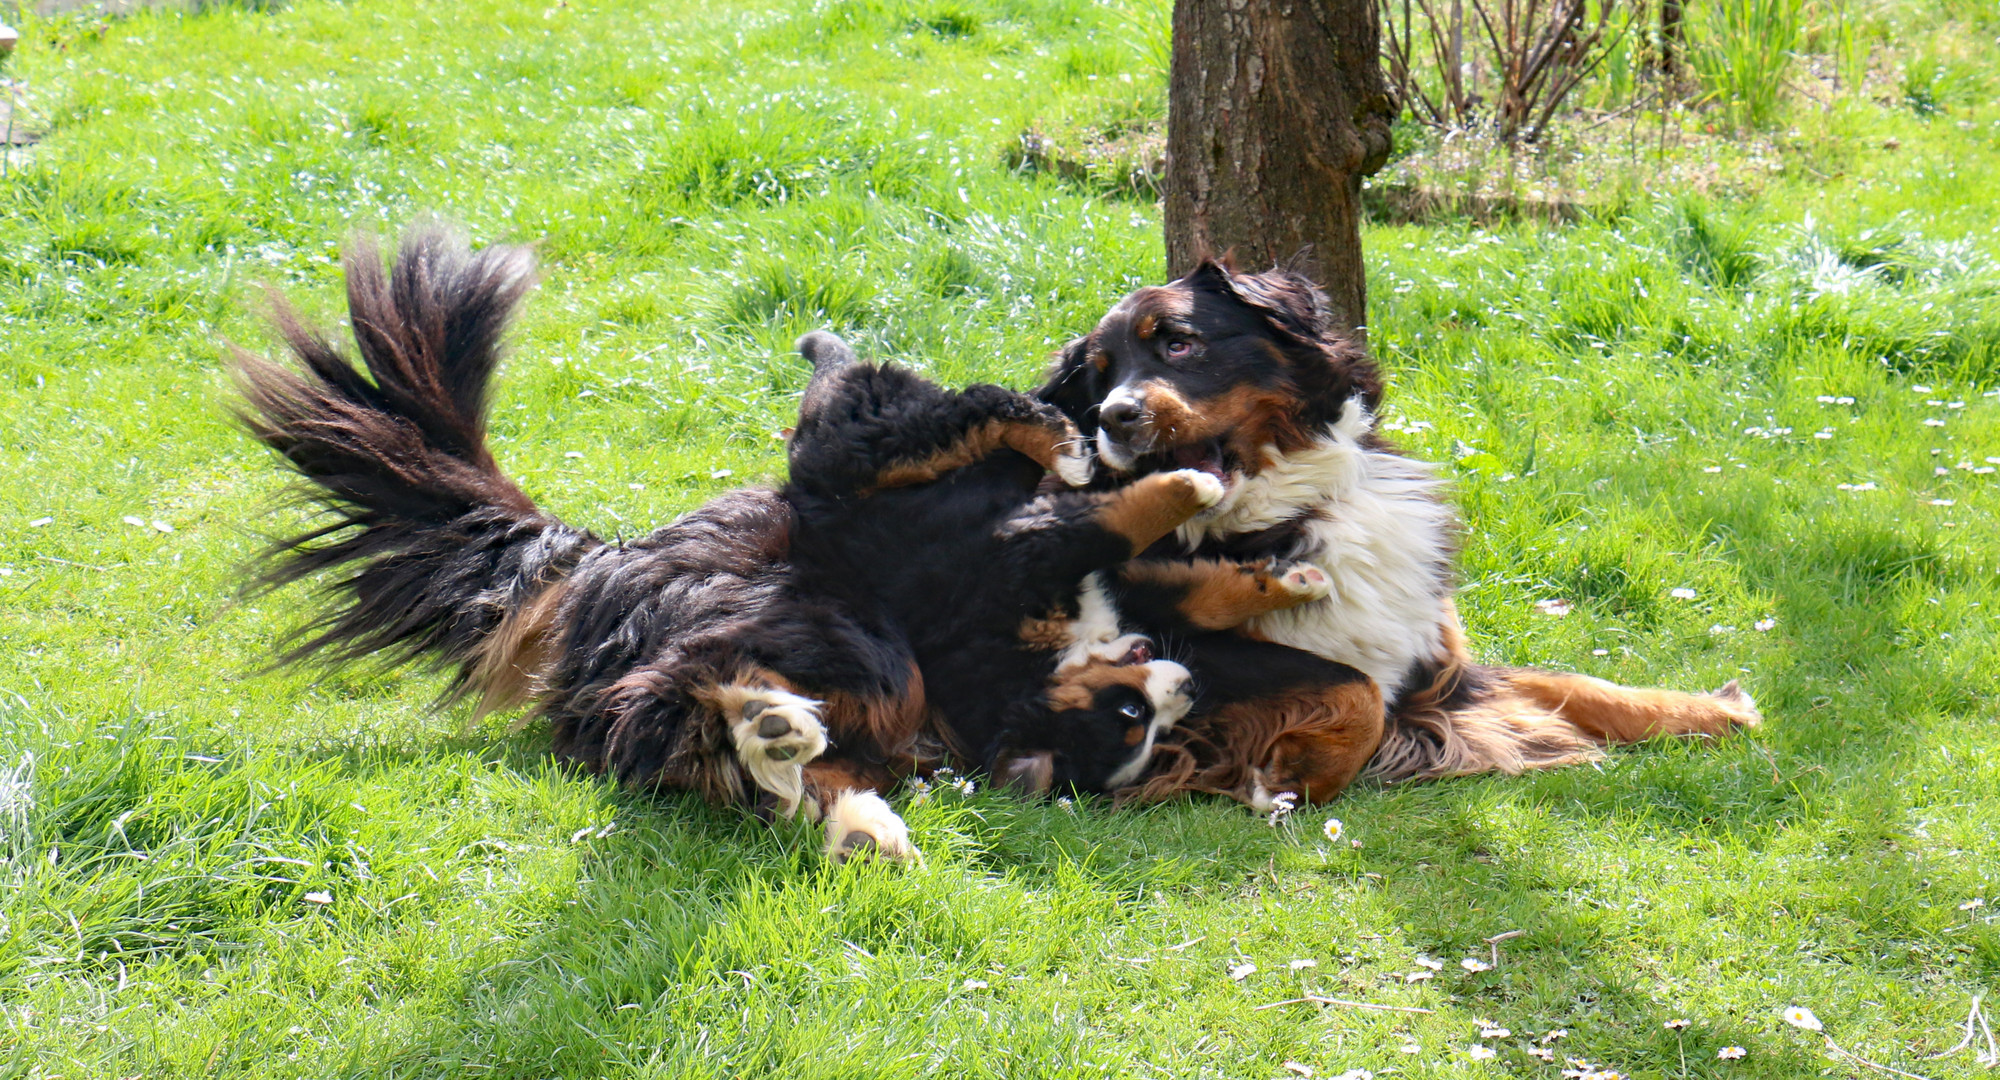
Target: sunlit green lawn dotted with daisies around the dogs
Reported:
[(1627, 405)]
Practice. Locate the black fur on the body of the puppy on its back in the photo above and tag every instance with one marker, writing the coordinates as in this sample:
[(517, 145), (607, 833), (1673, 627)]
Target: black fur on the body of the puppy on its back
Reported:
[(955, 565)]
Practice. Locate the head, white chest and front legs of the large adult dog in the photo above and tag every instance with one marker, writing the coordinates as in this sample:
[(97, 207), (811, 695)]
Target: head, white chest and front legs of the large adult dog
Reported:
[(1245, 379)]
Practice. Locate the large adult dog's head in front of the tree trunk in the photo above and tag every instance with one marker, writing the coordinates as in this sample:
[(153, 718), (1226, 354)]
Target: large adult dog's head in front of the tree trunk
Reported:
[(1211, 373)]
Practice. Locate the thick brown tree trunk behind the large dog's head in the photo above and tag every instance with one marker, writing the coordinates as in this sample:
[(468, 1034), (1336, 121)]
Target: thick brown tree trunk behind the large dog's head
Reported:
[(1277, 111)]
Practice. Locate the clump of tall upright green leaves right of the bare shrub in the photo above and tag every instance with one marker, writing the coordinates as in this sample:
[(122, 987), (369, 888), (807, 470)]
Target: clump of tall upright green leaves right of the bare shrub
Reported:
[(1743, 53)]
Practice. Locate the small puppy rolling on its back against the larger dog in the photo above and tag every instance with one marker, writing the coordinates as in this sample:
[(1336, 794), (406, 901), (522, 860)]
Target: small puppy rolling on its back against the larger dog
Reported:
[(1003, 595)]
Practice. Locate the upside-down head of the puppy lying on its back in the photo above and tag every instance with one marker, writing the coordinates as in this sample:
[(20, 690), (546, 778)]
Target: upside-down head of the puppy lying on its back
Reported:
[(1095, 727)]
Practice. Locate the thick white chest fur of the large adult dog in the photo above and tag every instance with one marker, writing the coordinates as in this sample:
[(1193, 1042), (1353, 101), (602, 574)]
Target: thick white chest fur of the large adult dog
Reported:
[(1379, 531)]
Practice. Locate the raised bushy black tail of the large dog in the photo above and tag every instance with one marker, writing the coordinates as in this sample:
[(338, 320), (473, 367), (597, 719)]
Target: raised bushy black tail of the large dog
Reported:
[(439, 545)]
